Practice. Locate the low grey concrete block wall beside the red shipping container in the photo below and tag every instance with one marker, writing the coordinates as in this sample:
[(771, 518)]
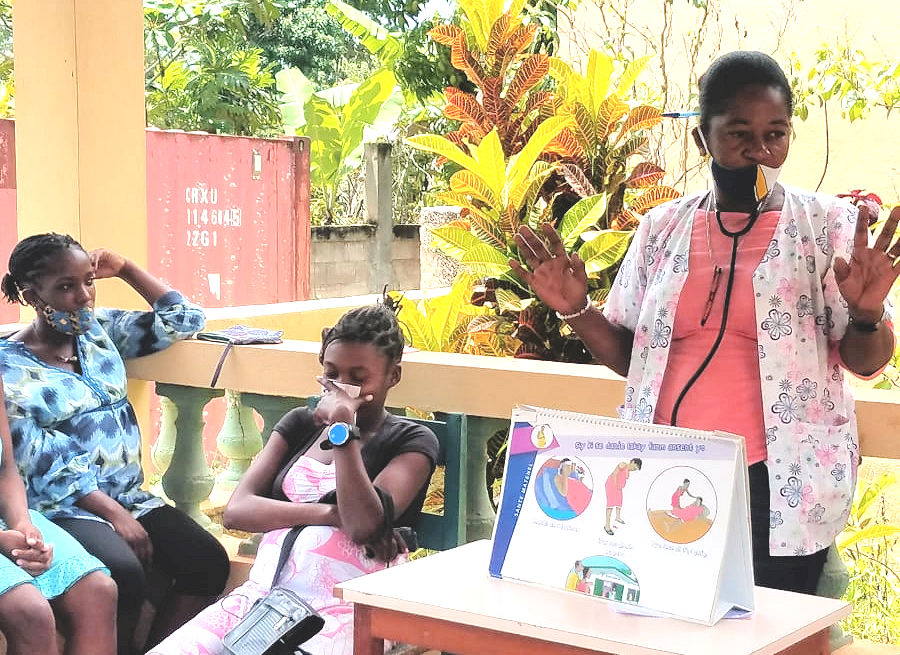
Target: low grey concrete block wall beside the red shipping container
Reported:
[(342, 260)]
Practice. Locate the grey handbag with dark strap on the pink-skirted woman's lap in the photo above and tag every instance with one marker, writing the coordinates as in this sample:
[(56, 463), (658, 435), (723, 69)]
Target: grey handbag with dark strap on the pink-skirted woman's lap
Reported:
[(278, 623)]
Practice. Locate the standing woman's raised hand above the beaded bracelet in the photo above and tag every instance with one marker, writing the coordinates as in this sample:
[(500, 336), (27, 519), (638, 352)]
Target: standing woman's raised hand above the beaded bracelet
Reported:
[(558, 279)]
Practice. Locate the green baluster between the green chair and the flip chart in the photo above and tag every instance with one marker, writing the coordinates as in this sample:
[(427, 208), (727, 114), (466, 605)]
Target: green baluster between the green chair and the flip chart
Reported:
[(479, 510)]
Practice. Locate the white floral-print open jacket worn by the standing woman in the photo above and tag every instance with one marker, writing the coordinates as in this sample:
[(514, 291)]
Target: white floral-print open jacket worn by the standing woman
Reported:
[(808, 410)]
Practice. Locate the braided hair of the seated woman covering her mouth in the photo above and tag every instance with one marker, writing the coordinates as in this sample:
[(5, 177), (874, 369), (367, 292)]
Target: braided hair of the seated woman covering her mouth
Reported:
[(373, 324)]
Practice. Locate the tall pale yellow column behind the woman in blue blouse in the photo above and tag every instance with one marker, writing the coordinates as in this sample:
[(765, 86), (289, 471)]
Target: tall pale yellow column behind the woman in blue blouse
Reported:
[(80, 143)]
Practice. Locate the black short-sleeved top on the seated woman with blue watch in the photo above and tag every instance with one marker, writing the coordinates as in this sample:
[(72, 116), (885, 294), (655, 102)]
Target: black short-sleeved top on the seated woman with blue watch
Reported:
[(396, 436)]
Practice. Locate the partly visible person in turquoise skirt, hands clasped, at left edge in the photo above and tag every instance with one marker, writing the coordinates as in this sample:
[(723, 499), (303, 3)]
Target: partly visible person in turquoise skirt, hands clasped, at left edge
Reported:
[(45, 574)]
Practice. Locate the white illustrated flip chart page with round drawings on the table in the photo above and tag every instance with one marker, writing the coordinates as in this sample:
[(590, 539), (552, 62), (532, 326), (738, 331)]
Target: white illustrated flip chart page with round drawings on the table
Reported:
[(627, 512)]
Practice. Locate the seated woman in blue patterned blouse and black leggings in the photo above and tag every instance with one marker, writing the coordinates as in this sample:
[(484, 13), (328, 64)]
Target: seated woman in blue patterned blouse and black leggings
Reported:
[(75, 435)]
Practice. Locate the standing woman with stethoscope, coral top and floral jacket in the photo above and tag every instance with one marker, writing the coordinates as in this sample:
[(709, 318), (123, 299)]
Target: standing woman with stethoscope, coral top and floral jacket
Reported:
[(755, 292)]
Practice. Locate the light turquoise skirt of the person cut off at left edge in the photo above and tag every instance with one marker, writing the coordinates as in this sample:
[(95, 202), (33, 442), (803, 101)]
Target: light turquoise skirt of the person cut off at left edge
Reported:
[(70, 561)]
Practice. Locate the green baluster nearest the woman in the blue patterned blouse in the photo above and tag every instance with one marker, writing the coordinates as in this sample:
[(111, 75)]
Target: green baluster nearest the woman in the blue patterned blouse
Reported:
[(188, 480)]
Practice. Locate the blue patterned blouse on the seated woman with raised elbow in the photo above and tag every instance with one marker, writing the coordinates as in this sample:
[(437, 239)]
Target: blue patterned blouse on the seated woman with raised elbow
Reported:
[(75, 433)]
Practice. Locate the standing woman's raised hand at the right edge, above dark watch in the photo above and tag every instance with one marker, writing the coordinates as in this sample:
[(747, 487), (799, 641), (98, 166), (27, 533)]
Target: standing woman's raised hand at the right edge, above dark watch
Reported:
[(866, 279)]
